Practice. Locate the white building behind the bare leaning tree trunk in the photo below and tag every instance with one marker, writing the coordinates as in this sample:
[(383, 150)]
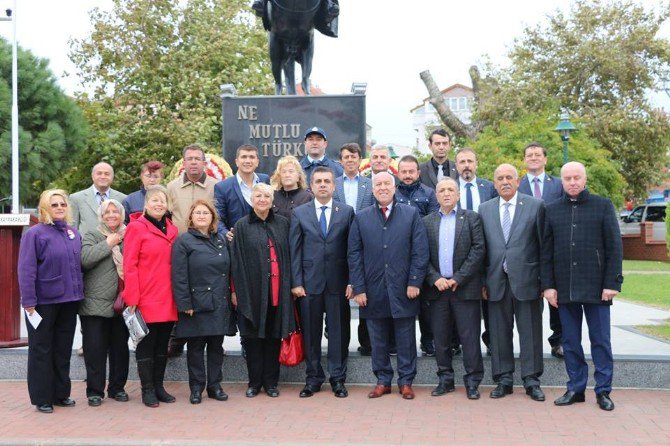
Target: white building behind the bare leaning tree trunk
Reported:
[(458, 97)]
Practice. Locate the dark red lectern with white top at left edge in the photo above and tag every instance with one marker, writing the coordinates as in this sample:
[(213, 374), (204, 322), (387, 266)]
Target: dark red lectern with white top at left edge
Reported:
[(11, 228)]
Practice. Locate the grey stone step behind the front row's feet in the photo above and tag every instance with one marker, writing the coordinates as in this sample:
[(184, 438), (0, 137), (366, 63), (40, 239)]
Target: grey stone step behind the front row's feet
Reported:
[(648, 372)]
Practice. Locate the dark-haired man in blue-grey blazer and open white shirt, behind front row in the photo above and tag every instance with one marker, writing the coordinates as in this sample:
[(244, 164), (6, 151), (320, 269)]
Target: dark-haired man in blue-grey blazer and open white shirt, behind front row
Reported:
[(352, 187)]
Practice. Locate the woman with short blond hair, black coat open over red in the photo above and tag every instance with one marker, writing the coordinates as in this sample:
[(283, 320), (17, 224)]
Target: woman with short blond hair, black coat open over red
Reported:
[(261, 274)]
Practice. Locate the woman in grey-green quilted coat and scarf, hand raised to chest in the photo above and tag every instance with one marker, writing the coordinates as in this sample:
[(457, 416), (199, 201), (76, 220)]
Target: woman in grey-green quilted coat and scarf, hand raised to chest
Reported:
[(103, 331)]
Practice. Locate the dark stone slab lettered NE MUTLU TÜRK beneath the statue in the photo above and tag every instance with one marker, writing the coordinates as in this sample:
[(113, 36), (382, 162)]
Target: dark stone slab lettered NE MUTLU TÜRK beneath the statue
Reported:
[(277, 125)]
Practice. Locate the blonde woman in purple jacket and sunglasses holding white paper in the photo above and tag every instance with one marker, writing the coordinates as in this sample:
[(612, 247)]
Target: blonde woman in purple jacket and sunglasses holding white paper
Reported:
[(51, 285)]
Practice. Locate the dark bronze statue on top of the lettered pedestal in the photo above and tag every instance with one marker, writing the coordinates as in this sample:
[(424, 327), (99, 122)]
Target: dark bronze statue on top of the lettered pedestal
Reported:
[(291, 26)]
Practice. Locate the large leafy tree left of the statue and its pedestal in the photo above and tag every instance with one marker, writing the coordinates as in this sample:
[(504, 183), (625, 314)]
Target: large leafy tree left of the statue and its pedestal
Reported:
[(154, 68)]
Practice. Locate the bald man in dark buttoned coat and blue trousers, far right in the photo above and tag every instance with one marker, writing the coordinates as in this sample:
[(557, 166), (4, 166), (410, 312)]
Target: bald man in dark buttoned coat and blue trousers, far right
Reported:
[(581, 275)]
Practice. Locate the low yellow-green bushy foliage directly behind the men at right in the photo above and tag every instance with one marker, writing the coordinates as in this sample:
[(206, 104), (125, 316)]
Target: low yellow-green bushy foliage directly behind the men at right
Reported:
[(504, 143)]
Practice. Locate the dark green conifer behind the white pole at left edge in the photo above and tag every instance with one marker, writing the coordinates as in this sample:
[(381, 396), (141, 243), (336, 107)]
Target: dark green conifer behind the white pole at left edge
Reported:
[(52, 130)]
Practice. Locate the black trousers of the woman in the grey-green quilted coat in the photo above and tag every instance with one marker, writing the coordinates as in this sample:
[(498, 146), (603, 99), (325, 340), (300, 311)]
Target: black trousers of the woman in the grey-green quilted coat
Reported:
[(103, 337)]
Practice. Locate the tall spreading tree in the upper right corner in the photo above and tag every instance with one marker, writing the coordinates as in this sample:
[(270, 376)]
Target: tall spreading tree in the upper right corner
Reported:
[(599, 60)]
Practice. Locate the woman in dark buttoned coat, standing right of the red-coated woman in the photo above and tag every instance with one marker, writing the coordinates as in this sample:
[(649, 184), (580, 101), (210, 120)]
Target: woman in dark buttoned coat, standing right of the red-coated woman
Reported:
[(201, 289)]
